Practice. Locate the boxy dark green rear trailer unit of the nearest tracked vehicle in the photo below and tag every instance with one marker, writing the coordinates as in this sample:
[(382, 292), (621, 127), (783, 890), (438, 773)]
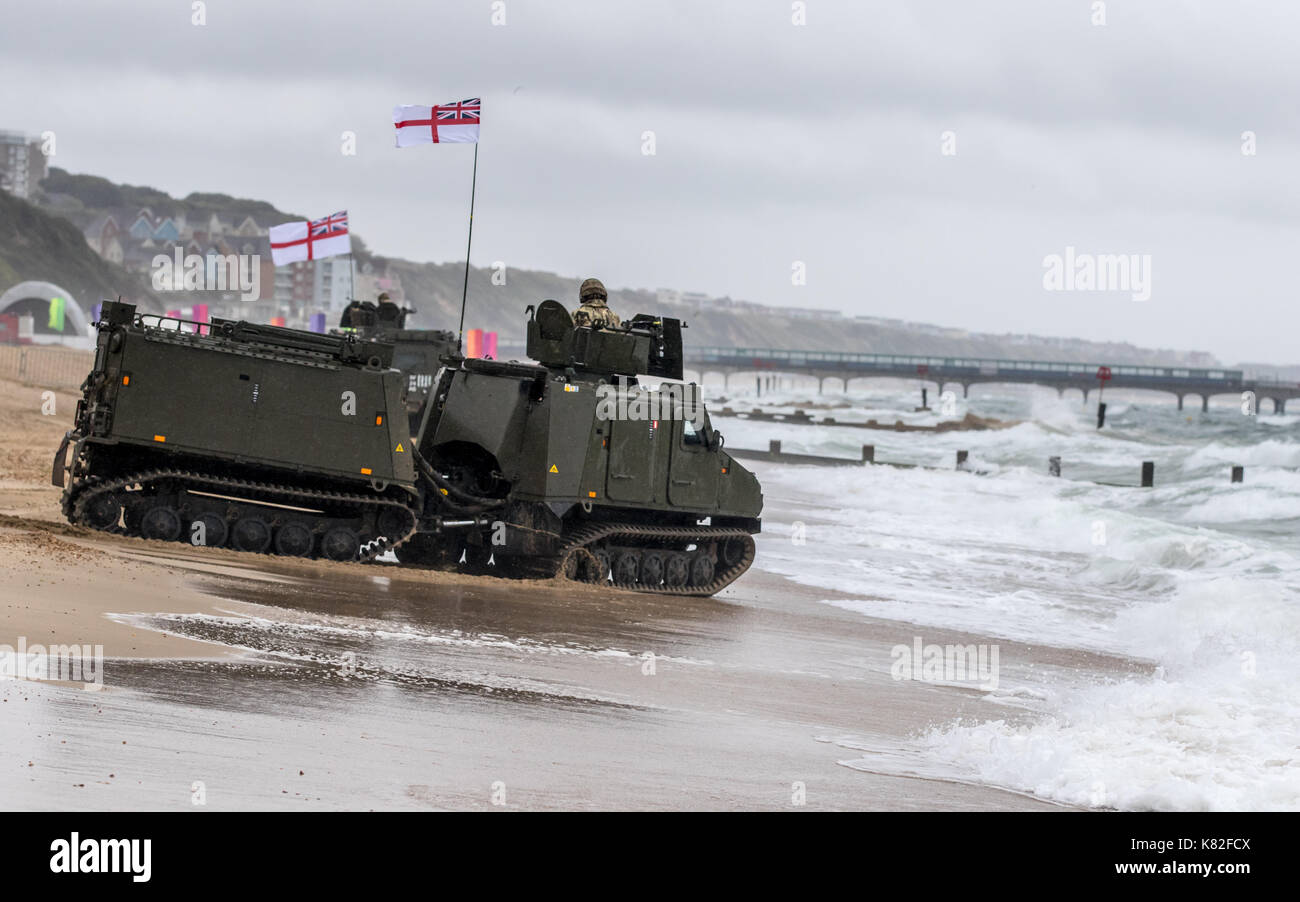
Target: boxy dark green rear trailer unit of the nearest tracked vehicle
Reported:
[(236, 435)]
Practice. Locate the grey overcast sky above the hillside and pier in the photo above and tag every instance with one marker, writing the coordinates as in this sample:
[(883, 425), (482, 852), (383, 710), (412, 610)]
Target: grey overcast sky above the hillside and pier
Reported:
[(774, 144)]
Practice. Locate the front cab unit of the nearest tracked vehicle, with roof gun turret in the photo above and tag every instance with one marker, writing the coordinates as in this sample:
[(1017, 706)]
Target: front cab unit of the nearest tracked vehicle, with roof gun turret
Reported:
[(573, 467)]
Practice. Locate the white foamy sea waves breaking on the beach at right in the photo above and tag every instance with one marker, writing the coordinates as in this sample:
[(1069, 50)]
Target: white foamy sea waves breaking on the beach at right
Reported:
[(1199, 579)]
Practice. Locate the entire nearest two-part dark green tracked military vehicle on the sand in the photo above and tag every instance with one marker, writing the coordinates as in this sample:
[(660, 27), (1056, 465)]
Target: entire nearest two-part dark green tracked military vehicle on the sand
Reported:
[(265, 440)]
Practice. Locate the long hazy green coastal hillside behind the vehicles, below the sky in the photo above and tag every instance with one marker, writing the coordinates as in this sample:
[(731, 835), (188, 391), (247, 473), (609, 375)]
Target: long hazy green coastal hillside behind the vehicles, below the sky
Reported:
[(47, 244)]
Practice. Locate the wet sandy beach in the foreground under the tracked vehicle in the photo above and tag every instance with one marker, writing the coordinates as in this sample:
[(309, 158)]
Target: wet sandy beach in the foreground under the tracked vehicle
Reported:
[(262, 683)]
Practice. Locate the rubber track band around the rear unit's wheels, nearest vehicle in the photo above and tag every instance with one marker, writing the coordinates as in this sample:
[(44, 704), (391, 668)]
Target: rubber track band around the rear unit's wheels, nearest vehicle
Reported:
[(75, 502)]
